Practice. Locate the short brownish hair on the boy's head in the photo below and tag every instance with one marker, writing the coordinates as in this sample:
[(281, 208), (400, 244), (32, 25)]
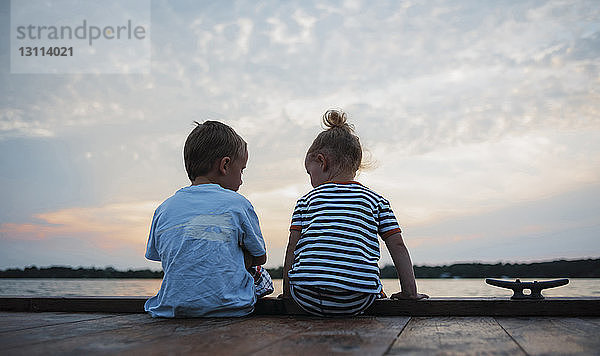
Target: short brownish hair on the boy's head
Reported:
[(208, 142)]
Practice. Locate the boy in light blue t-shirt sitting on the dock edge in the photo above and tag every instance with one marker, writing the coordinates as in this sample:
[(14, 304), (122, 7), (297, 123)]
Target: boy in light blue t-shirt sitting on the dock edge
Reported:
[(207, 234)]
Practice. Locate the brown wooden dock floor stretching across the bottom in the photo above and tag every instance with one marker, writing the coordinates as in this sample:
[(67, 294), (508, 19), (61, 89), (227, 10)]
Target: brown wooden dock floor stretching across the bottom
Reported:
[(66, 333)]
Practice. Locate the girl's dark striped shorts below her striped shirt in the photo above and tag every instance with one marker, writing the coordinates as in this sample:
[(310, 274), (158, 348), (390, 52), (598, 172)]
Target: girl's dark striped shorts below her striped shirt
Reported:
[(331, 301)]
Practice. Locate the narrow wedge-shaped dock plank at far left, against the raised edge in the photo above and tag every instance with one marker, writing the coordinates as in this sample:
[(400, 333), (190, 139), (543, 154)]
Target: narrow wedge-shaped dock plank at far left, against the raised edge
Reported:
[(13, 321)]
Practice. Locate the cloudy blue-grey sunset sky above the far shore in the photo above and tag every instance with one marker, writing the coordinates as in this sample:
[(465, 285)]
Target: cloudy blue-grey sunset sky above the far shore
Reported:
[(480, 121)]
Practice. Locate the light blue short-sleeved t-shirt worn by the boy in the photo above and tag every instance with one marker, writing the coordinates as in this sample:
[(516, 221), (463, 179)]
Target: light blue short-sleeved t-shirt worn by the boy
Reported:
[(198, 235)]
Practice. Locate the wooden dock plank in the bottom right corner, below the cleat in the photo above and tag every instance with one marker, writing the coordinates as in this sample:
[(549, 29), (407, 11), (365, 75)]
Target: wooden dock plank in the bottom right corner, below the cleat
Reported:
[(558, 336)]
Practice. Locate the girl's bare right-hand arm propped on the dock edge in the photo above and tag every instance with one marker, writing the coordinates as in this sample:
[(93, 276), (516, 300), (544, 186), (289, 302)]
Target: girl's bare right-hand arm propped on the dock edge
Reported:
[(404, 268)]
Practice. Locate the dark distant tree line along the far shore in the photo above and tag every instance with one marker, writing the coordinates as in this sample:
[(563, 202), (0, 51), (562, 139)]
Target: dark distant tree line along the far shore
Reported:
[(589, 268)]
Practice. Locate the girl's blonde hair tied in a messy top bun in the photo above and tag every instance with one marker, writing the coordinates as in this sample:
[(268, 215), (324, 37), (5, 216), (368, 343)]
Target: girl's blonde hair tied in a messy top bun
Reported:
[(338, 143)]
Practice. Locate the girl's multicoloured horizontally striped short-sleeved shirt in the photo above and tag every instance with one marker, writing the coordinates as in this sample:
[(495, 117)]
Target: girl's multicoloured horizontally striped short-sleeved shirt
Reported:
[(338, 246)]
